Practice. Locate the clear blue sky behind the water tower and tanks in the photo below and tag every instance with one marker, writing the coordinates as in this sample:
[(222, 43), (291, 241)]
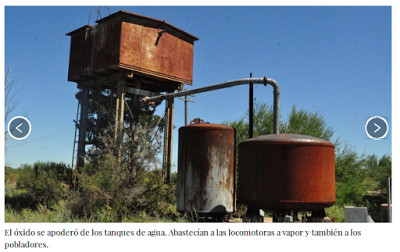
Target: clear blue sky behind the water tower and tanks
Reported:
[(331, 60)]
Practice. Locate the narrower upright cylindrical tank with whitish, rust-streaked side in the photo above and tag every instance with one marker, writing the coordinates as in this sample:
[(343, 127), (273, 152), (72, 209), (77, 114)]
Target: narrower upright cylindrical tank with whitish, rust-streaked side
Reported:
[(206, 169)]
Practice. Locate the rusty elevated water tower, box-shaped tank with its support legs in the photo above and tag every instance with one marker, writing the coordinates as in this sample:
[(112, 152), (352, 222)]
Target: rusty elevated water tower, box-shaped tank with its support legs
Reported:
[(130, 56)]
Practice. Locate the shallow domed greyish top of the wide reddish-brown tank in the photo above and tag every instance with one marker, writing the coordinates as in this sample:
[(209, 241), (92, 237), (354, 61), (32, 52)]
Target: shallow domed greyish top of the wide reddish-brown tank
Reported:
[(286, 138)]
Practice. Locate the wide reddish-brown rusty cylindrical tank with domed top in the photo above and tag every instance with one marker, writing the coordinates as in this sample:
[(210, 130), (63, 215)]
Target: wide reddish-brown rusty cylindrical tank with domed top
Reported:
[(287, 172)]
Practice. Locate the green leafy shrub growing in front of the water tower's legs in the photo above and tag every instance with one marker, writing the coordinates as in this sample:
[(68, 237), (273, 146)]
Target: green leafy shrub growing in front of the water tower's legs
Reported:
[(116, 177)]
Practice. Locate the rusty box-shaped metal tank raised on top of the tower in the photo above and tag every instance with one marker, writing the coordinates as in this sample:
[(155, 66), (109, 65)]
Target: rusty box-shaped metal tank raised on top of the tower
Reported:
[(126, 41)]
